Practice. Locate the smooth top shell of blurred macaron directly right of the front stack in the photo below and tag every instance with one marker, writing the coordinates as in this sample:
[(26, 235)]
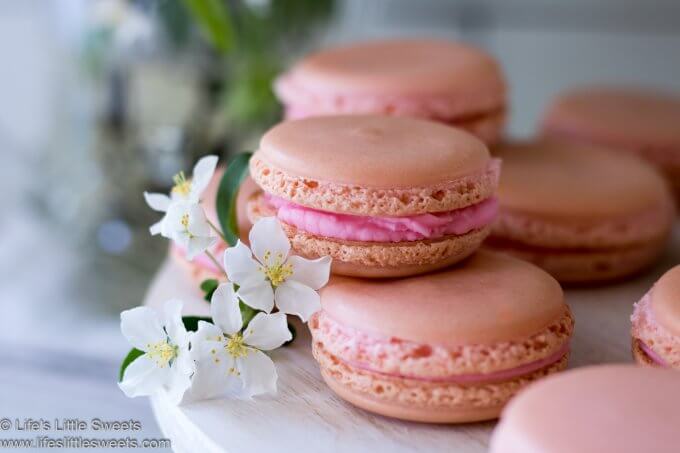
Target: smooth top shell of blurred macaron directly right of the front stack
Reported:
[(576, 181)]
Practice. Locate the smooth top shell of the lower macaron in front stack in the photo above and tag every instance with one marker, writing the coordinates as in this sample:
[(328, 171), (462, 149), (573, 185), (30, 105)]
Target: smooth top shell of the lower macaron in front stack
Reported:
[(489, 298)]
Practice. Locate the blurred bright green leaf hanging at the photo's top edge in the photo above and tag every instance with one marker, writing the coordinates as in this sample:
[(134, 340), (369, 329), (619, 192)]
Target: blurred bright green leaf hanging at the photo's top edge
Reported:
[(214, 20)]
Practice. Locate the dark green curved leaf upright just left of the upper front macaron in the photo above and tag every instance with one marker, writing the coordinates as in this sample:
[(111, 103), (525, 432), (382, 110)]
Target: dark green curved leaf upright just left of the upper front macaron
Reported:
[(237, 170)]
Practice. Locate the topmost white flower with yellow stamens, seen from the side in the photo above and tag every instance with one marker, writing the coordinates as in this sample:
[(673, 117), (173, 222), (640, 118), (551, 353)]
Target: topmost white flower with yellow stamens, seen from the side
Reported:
[(185, 190)]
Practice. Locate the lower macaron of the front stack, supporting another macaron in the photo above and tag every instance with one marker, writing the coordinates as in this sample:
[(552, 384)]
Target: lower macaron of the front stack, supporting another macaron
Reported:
[(446, 347)]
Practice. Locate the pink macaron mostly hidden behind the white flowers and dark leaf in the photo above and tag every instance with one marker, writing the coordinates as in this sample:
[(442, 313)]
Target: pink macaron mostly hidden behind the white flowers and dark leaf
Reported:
[(201, 267)]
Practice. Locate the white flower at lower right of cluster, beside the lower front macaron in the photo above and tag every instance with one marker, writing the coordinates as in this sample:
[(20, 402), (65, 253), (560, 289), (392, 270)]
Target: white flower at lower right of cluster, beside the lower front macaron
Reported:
[(230, 361)]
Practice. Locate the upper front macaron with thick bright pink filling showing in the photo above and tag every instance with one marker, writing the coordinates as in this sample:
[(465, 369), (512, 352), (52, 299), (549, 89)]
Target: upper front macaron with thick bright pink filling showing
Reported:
[(382, 196)]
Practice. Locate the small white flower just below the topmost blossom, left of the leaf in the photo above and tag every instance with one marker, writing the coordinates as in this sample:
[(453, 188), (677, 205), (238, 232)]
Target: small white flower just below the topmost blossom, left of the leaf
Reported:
[(187, 225)]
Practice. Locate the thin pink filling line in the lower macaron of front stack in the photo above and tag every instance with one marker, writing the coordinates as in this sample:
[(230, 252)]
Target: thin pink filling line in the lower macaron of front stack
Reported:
[(473, 378)]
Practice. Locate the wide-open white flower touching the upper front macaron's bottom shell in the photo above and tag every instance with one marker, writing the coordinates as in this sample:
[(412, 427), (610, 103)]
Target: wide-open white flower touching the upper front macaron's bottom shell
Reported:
[(275, 278)]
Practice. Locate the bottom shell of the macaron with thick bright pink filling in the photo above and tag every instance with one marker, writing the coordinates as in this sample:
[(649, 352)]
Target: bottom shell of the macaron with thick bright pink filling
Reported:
[(374, 259)]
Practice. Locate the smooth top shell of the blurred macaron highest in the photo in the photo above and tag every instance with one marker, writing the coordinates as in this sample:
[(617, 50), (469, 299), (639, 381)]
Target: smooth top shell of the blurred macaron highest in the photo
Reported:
[(398, 67)]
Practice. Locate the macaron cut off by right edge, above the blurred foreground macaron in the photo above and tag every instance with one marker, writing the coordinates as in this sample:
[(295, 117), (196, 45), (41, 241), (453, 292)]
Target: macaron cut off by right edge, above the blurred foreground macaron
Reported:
[(656, 323)]
